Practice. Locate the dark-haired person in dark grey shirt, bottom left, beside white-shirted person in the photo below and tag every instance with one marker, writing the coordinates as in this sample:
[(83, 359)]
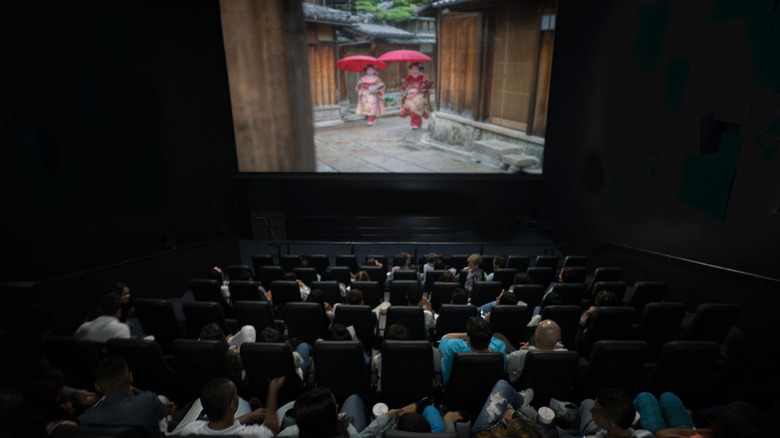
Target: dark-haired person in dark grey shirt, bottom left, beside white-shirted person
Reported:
[(122, 404)]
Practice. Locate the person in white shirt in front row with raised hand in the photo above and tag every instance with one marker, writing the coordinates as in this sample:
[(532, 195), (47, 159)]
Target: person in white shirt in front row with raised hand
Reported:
[(219, 399)]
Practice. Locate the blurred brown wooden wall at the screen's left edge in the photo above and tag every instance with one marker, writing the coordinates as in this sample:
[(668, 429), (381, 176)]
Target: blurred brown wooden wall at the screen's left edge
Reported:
[(265, 50)]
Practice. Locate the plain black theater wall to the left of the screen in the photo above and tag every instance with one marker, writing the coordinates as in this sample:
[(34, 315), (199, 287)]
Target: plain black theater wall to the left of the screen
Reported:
[(116, 132)]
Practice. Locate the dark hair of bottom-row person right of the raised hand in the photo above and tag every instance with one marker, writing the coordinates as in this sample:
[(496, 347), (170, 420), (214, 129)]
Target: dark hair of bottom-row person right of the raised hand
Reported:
[(316, 415)]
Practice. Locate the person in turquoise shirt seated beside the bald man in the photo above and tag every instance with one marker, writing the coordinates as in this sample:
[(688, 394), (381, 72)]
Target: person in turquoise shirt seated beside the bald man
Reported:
[(478, 338)]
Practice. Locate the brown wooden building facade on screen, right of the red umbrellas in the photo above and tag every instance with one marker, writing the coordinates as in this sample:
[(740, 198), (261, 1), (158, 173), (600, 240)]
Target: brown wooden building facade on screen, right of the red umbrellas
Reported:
[(494, 61)]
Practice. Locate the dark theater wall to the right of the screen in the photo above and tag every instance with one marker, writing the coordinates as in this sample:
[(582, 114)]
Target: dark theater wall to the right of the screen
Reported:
[(663, 129)]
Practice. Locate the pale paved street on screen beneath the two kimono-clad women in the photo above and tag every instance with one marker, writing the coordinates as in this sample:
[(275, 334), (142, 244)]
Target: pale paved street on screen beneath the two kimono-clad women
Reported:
[(390, 146)]
